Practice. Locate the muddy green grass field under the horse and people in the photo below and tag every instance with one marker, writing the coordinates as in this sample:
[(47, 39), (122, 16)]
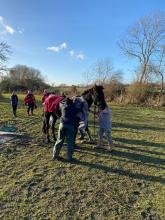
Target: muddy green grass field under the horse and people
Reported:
[(128, 183)]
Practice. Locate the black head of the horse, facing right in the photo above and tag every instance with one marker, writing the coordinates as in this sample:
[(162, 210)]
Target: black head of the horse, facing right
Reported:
[(98, 96)]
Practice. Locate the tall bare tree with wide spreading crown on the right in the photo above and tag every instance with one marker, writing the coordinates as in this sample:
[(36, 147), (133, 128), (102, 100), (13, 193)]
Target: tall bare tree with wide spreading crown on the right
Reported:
[(144, 40)]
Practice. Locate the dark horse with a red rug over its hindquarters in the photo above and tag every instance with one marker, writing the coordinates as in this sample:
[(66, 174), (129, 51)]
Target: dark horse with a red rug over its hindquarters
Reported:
[(52, 107)]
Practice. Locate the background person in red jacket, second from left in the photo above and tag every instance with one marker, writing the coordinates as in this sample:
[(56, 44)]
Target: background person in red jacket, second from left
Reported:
[(30, 101)]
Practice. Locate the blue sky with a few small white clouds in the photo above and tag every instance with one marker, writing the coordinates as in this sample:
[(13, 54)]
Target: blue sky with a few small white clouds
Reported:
[(63, 38)]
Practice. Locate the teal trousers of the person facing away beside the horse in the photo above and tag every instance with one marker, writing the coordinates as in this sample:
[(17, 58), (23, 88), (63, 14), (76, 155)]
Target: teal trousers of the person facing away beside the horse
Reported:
[(65, 131)]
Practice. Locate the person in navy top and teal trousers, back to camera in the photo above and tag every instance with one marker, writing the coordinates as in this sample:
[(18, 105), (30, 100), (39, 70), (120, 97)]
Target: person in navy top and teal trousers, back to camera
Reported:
[(66, 129)]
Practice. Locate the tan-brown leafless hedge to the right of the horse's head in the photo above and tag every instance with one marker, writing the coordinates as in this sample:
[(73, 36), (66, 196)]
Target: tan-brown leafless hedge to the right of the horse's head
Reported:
[(135, 93)]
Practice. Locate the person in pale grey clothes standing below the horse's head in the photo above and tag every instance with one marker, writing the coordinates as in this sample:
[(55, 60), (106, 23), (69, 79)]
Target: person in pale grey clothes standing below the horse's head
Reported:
[(104, 117)]
